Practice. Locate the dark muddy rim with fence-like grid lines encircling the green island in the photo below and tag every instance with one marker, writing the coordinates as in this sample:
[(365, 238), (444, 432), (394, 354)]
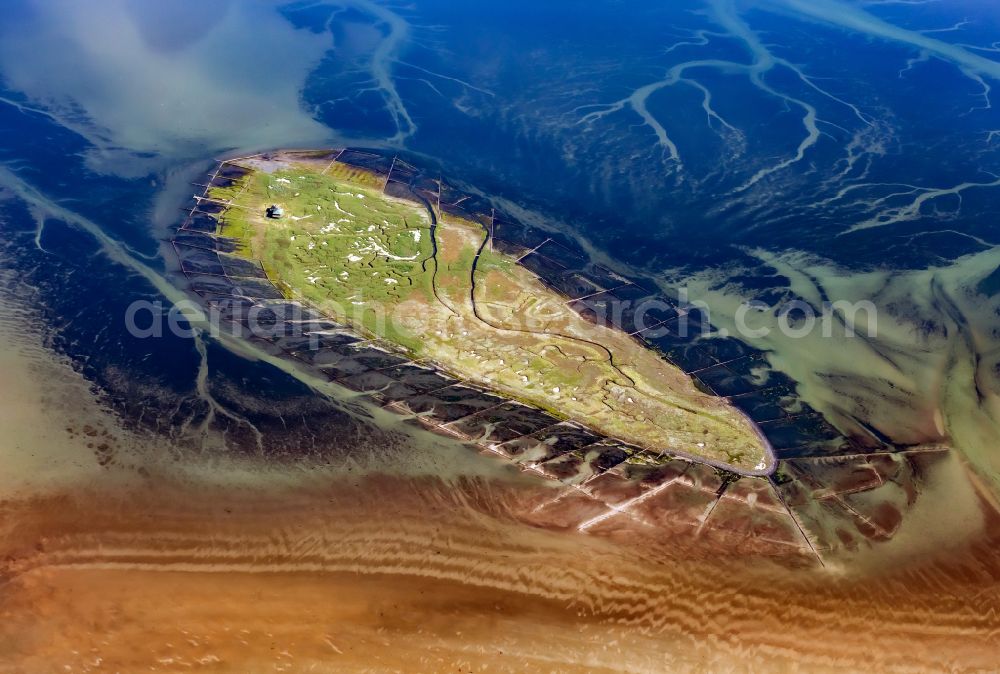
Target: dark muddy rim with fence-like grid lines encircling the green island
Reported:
[(531, 420)]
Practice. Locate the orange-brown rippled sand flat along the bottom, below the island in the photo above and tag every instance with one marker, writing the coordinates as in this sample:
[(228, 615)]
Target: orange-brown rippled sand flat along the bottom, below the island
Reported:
[(467, 551)]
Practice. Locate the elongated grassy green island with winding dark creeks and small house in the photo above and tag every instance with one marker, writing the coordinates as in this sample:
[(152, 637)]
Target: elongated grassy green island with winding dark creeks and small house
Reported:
[(406, 262)]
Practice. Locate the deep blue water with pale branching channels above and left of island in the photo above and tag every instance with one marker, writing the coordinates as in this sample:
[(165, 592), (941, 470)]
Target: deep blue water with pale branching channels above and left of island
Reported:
[(106, 106)]
